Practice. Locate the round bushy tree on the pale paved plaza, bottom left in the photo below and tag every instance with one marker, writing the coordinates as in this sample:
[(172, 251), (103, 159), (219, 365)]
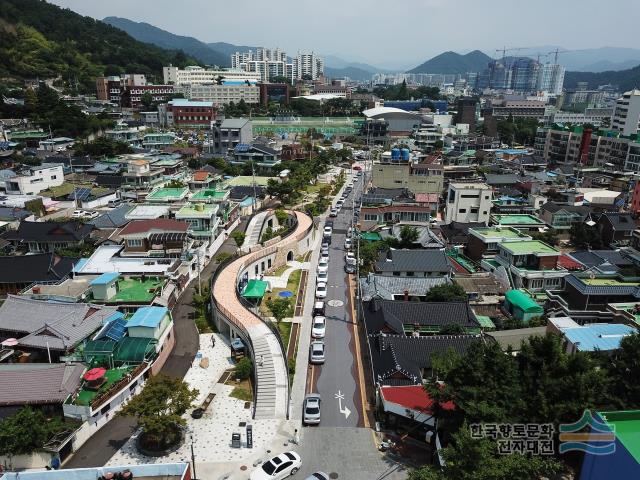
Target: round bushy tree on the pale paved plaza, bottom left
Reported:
[(159, 409)]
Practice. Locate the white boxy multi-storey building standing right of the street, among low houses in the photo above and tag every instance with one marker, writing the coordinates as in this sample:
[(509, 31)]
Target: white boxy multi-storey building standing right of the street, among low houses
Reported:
[(468, 202)]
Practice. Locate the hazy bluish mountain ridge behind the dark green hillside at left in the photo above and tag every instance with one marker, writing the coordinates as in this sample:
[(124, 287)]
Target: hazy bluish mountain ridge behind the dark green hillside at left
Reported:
[(149, 34)]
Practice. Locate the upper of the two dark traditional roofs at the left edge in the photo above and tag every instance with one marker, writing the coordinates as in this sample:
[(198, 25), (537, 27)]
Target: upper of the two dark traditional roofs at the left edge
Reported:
[(72, 231)]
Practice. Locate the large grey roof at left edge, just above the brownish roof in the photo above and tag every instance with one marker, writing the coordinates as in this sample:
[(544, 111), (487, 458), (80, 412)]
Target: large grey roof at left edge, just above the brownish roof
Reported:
[(59, 326)]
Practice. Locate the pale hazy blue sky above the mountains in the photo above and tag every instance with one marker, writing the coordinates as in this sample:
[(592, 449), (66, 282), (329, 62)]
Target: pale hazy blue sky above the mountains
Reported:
[(385, 33)]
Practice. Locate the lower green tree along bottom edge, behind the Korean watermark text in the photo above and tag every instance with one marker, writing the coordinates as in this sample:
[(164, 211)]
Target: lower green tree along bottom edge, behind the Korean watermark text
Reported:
[(467, 458)]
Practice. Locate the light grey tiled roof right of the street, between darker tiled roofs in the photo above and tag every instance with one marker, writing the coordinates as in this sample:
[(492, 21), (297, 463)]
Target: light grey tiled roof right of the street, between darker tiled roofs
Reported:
[(386, 287)]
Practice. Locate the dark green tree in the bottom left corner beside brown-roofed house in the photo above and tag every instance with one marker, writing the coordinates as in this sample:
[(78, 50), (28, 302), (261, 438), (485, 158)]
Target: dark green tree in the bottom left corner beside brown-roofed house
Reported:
[(23, 432)]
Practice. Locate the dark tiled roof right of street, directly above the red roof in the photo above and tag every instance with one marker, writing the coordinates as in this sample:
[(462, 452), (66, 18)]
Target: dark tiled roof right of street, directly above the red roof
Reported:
[(400, 360)]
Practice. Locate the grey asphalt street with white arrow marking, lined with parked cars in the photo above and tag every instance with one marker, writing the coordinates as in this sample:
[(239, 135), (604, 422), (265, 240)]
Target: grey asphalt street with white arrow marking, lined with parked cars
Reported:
[(337, 379)]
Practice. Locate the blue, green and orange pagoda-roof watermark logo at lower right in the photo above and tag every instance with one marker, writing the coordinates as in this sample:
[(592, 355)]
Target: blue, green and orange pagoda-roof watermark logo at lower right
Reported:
[(587, 435)]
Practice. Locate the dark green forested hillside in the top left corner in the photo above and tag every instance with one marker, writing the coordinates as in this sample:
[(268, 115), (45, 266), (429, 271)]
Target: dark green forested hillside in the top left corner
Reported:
[(40, 40)]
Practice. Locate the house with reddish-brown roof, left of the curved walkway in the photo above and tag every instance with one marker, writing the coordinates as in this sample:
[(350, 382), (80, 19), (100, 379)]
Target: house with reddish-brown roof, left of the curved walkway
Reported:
[(155, 238)]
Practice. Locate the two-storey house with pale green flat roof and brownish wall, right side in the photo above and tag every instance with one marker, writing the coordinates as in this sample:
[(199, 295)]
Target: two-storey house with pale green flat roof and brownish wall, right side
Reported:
[(529, 264)]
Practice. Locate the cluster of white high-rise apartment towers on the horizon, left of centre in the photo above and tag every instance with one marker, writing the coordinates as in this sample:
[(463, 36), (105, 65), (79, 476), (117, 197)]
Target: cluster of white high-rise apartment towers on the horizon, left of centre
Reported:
[(269, 63)]
